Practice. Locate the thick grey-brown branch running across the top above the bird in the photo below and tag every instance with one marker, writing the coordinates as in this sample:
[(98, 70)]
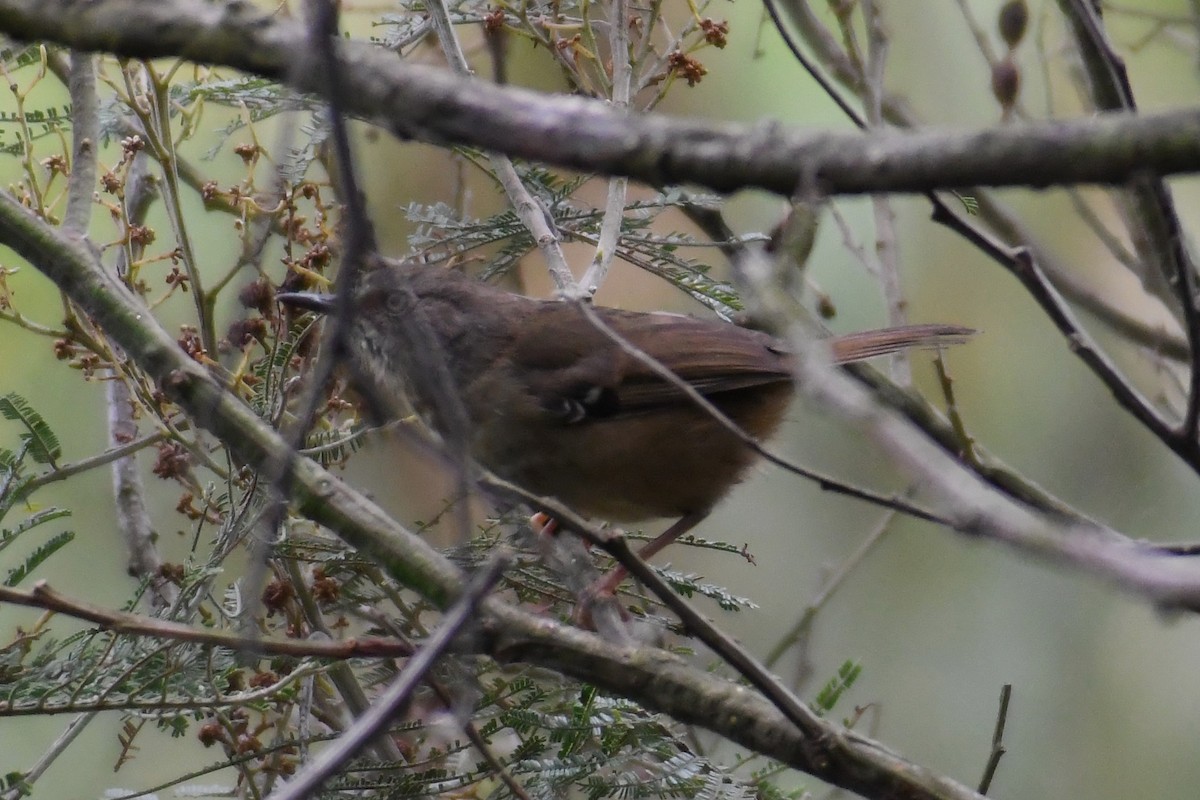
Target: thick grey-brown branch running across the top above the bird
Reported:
[(436, 106)]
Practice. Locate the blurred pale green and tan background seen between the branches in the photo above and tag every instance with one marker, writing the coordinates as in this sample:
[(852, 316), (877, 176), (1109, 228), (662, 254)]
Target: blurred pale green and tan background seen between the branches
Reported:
[(1106, 690)]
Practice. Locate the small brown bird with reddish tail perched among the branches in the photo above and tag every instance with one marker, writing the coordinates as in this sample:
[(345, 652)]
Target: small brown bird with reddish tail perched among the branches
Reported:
[(560, 408)]
